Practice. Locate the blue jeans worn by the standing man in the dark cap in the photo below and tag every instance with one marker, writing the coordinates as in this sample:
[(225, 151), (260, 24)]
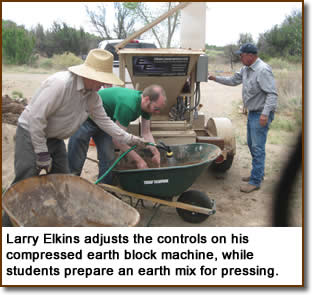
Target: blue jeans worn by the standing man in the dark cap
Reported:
[(256, 139)]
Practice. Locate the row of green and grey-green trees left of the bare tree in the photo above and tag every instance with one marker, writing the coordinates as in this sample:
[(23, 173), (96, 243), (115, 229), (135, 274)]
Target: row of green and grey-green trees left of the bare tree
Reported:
[(20, 46)]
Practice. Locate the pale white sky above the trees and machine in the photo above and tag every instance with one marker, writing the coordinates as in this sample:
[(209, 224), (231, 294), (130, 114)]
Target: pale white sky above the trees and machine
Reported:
[(224, 20)]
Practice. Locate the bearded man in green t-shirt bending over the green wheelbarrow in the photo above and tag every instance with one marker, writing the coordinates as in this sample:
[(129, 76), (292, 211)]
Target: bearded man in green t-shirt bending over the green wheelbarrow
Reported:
[(122, 105)]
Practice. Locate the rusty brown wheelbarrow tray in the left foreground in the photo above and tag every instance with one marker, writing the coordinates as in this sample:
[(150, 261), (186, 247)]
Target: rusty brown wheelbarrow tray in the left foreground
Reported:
[(65, 200)]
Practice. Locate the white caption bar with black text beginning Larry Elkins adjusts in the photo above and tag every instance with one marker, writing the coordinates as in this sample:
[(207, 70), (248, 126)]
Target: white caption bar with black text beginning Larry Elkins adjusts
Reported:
[(152, 256)]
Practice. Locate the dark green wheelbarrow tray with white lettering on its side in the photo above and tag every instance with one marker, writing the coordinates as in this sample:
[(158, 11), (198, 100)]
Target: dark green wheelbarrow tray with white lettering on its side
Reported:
[(175, 175)]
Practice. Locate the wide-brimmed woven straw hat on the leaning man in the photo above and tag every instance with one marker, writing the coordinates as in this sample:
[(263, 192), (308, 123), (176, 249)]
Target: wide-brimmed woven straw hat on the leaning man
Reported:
[(98, 66)]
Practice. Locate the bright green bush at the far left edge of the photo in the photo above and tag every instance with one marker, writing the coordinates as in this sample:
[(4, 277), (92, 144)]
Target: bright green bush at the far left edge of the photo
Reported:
[(17, 43)]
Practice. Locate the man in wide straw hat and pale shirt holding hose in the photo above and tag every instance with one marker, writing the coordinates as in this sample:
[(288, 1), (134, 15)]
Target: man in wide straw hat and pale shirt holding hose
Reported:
[(62, 103)]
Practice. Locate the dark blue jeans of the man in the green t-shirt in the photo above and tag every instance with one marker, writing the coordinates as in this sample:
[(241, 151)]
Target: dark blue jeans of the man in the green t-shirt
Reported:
[(78, 148)]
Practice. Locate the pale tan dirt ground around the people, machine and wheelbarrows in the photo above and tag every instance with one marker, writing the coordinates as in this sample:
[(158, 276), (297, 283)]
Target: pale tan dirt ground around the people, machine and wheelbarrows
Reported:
[(233, 208)]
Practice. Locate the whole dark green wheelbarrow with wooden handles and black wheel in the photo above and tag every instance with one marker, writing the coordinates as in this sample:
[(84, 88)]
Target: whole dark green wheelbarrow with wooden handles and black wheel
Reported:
[(175, 175)]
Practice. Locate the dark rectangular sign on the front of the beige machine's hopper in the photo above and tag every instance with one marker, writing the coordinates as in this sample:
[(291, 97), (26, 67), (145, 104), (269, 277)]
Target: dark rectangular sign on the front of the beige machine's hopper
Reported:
[(160, 65)]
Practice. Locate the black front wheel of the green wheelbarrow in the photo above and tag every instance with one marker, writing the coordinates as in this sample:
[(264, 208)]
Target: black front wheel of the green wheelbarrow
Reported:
[(195, 198)]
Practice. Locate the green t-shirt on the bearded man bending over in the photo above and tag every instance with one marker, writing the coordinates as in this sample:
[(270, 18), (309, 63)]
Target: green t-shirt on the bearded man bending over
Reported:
[(123, 104)]
